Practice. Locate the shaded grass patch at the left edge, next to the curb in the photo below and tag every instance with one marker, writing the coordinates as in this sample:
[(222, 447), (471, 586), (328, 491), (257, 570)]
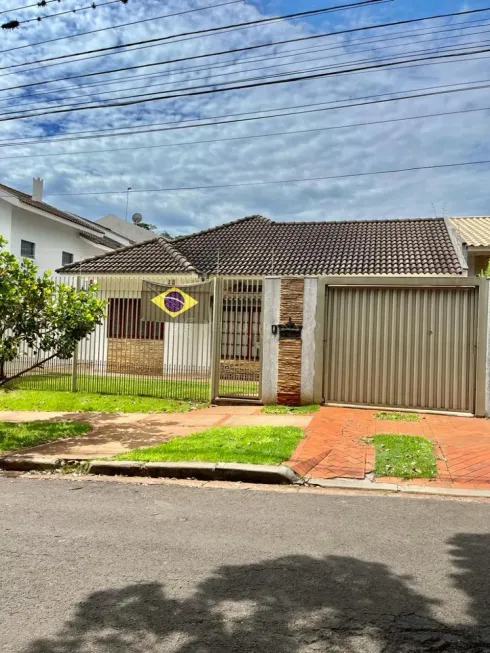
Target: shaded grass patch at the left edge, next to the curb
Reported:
[(28, 434)]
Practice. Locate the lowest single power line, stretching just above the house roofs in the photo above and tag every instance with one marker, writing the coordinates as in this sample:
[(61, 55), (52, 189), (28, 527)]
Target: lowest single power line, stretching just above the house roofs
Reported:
[(246, 184)]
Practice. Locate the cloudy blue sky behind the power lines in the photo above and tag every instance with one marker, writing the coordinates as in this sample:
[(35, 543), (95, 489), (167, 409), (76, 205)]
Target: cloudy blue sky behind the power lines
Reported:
[(409, 143)]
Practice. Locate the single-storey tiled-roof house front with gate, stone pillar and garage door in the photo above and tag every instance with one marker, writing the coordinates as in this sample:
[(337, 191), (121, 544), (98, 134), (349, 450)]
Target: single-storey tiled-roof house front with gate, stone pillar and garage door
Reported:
[(379, 313)]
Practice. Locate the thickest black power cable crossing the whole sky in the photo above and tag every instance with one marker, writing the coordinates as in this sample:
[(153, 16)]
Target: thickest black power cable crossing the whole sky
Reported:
[(193, 93)]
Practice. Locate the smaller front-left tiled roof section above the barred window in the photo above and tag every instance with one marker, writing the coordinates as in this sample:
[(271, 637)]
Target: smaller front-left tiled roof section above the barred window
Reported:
[(150, 256)]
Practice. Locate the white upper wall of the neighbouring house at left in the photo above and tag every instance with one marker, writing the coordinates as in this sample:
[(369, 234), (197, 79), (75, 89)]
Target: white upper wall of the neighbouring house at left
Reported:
[(51, 238)]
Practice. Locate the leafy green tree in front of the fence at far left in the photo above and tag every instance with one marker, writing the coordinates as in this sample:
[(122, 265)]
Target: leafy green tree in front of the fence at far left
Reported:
[(39, 315)]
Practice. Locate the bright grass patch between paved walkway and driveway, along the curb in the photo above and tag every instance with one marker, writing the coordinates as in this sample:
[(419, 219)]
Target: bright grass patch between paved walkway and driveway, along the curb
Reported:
[(237, 444)]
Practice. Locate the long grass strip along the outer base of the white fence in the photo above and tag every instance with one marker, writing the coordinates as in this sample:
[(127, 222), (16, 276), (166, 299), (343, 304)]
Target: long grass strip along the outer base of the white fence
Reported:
[(76, 402)]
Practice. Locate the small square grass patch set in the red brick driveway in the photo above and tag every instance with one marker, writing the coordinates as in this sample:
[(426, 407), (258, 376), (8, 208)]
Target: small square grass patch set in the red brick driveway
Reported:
[(405, 456)]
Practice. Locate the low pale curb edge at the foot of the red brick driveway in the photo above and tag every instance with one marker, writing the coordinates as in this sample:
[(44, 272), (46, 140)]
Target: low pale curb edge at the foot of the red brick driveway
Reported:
[(353, 484)]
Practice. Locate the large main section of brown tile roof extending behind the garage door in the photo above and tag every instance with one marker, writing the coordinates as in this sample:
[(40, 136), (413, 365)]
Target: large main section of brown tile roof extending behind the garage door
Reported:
[(258, 246)]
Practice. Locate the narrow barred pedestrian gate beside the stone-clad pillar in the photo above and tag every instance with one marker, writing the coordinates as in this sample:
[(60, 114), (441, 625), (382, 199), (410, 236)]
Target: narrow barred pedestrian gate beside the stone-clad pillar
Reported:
[(240, 338)]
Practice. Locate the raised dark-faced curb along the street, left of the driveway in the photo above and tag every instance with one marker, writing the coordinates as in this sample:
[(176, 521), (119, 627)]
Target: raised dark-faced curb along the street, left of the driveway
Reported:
[(268, 474)]
